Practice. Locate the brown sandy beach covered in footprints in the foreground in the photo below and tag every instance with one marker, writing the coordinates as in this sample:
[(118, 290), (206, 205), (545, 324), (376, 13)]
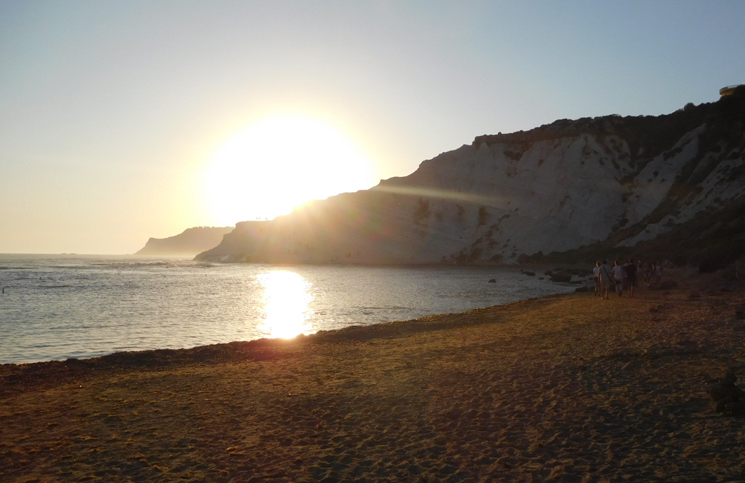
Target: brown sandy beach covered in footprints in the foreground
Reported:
[(570, 388)]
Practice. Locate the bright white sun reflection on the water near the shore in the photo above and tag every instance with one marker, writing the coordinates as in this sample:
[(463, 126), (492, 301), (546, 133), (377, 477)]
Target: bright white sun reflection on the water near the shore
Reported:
[(286, 301)]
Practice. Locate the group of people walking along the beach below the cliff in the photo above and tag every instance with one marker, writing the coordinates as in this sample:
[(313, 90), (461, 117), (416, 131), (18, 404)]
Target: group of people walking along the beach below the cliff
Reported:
[(623, 277)]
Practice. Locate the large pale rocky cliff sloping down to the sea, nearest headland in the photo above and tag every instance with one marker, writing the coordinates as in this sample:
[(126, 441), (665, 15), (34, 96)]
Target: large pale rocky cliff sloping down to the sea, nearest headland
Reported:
[(619, 182)]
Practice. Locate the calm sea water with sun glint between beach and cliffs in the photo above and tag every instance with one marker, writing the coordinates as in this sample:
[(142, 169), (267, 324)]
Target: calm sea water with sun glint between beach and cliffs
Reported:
[(56, 307)]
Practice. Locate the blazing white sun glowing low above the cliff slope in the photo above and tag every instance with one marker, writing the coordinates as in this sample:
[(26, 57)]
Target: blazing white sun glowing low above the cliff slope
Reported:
[(279, 163)]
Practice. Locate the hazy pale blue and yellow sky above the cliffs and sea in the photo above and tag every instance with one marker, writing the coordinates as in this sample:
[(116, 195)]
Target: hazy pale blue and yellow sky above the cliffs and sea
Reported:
[(113, 113)]
